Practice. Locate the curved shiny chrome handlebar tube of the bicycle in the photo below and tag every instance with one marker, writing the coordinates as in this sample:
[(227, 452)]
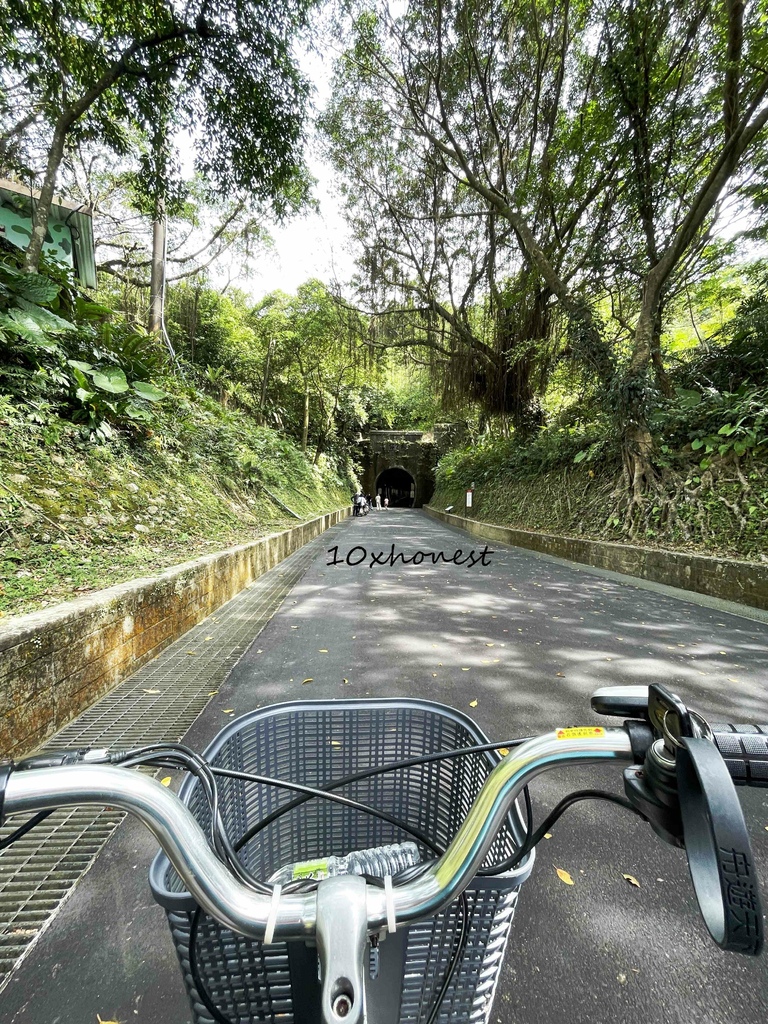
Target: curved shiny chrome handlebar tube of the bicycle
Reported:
[(246, 912)]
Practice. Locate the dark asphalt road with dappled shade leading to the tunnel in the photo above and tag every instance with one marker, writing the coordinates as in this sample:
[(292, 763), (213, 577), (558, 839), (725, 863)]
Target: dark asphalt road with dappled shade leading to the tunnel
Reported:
[(529, 638)]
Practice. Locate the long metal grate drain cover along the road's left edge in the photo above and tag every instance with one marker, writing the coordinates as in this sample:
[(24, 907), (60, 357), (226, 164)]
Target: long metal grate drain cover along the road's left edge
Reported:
[(158, 703)]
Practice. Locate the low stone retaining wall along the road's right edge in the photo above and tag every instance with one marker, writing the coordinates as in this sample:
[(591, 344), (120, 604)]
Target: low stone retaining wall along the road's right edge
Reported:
[(729, 579)]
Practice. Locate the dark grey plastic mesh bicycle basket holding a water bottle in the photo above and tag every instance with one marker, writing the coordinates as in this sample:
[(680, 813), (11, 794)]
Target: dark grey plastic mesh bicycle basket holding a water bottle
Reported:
[(314, 743)]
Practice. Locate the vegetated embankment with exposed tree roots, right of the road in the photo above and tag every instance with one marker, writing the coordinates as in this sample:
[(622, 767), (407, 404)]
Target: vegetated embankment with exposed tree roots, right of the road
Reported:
[(719, 511)]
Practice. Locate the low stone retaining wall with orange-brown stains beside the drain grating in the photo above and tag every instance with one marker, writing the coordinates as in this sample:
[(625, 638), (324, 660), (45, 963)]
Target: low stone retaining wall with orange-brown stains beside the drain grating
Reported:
[(56, 663)]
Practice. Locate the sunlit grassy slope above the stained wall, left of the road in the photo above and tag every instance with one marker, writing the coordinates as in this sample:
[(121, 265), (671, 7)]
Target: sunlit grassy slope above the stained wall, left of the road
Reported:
[(78, 517)]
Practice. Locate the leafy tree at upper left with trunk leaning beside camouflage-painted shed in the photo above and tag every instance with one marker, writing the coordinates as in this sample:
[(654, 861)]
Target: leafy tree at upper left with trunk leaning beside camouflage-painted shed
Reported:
[(95, 70)]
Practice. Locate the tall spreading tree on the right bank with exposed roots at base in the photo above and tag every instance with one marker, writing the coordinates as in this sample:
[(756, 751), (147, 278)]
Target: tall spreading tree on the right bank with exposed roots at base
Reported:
[(591, 131)]
